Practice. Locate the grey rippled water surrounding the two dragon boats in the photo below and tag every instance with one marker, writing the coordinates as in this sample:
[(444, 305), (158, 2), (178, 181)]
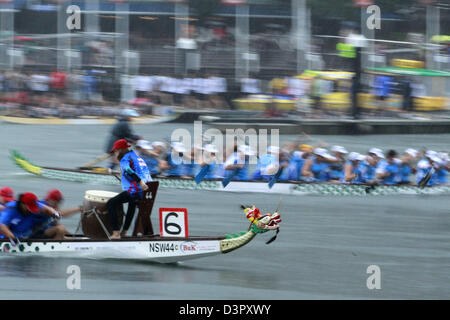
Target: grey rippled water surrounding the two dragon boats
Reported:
[(322, 252)]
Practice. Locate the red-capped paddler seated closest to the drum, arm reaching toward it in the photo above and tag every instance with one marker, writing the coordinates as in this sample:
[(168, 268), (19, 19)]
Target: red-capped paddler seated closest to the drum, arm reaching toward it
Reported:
[(44, 226)]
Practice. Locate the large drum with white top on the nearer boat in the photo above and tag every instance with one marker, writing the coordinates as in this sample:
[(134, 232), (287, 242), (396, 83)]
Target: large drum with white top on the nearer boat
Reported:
[(94, 209)]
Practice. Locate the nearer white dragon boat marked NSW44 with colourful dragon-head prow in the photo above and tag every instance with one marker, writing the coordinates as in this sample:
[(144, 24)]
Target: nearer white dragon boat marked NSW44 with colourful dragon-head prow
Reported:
[(94, 242)]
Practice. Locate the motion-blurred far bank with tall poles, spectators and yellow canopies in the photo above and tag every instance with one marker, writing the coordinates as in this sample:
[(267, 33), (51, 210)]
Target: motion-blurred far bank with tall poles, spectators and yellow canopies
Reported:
[(283, 58)]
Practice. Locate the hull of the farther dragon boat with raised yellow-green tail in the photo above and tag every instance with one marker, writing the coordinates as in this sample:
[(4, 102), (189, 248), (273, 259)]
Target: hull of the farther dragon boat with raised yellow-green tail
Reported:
[(104, 177)]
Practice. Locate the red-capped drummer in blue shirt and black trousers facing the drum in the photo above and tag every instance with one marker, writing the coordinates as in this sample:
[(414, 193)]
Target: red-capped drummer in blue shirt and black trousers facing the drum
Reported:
[(135, 175)]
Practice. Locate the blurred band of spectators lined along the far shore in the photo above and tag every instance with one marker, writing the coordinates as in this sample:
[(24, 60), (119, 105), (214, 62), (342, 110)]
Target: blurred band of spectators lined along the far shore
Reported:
[(97, 93)]
